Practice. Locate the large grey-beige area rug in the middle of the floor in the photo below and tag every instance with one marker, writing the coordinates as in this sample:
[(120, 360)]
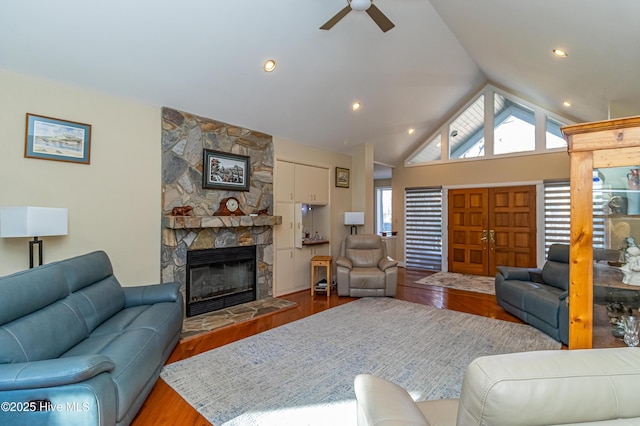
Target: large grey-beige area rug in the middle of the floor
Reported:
[(302, 373)]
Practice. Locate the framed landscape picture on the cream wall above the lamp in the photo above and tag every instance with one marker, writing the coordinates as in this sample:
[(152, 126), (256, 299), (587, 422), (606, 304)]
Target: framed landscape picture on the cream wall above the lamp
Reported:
[(49, 138)]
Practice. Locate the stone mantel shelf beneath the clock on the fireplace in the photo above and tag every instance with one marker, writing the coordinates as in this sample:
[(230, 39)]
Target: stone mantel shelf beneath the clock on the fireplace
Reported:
[(201, 222)]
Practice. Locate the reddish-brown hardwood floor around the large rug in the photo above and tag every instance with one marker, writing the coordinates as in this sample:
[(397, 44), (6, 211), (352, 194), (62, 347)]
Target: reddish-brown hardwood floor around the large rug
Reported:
[(165, 407)]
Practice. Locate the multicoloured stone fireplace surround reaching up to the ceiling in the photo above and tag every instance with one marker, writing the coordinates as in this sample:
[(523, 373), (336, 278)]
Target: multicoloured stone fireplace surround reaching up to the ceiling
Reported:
[(184, 137)]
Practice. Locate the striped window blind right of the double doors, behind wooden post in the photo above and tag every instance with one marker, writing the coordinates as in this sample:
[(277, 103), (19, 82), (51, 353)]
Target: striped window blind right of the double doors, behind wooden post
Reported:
[(557, 206)]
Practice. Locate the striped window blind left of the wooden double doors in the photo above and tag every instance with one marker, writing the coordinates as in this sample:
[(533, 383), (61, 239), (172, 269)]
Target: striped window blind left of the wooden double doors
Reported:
[(423, 228)]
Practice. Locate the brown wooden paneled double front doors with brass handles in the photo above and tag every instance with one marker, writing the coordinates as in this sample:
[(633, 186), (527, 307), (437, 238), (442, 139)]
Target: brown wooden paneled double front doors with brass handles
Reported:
[(490, 227)]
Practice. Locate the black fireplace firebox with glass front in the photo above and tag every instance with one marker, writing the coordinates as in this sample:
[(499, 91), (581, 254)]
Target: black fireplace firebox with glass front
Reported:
[(219, 278)]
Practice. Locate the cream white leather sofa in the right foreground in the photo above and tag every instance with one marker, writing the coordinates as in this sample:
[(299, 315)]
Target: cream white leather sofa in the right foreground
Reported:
[(591, 386)]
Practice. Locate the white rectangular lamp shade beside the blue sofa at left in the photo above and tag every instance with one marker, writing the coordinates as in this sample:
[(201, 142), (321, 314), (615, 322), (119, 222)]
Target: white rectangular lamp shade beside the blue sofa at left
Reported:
[(33, 221)]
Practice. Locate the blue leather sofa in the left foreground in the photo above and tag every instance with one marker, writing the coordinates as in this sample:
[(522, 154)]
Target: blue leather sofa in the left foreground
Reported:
[(77, 348)]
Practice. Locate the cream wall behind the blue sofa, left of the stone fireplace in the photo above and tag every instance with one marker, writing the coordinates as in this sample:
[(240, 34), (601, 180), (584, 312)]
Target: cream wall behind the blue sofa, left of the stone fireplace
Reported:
[(114, 202)]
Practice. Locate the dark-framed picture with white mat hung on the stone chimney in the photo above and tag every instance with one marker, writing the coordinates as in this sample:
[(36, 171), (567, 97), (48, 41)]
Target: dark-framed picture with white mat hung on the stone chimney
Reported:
[(222, 170)]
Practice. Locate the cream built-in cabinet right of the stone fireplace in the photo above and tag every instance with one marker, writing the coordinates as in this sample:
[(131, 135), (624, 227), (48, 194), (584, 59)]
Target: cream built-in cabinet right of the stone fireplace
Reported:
[(295, 185)]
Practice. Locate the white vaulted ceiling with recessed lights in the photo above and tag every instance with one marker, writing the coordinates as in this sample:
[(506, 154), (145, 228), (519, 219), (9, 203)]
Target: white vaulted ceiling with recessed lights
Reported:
[(206, 57)]
